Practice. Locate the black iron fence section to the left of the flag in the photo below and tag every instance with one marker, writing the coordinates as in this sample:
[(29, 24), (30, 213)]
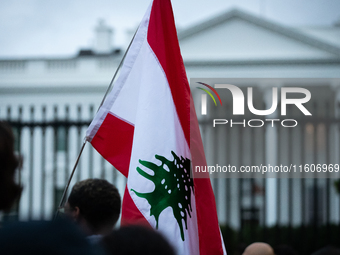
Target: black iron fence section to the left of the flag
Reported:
[(49, 145)]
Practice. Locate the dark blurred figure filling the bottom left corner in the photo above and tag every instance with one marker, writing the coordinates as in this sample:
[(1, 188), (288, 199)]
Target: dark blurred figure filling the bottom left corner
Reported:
[(59, 237)]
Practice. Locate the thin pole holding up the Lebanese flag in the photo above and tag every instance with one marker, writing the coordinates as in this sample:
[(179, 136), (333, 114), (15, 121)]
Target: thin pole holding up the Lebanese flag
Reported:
[(62, 200)]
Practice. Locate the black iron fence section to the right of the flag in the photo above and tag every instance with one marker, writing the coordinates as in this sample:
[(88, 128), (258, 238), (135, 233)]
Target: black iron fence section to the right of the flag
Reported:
[(301, 212)]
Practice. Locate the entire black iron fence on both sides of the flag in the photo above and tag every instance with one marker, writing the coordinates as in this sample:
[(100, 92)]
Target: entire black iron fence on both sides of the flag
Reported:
[(298, 211)]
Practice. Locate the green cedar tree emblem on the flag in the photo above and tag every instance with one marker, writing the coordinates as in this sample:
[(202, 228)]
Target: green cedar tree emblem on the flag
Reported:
[(173, 187)]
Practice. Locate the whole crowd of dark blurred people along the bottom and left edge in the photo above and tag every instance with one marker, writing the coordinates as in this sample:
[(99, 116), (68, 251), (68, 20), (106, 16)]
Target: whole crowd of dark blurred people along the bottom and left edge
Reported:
[(88, 223)]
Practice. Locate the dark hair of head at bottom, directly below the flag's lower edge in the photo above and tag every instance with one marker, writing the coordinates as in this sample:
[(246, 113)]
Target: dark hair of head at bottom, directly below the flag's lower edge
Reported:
[(136, 240)]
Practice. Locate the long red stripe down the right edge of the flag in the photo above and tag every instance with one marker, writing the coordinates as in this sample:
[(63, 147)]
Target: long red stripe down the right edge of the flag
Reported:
[(162, 38)]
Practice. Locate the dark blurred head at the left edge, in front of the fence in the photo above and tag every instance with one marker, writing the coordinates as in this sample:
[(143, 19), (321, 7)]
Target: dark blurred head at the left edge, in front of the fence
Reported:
[(9, 190)]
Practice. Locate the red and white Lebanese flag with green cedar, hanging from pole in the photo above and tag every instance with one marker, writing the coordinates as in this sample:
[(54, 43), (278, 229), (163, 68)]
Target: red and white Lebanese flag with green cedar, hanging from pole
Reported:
[(143, 129)]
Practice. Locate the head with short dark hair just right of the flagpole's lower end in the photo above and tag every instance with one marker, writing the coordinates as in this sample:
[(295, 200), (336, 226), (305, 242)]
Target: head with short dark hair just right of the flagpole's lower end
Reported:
[(94, 204)]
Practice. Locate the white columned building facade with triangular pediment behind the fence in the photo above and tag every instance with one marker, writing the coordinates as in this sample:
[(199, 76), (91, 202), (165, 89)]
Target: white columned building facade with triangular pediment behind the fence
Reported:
[(247, 50)]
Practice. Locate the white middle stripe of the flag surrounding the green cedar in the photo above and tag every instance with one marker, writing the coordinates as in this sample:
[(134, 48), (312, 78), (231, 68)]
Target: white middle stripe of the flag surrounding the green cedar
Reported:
[(157, 129)]
